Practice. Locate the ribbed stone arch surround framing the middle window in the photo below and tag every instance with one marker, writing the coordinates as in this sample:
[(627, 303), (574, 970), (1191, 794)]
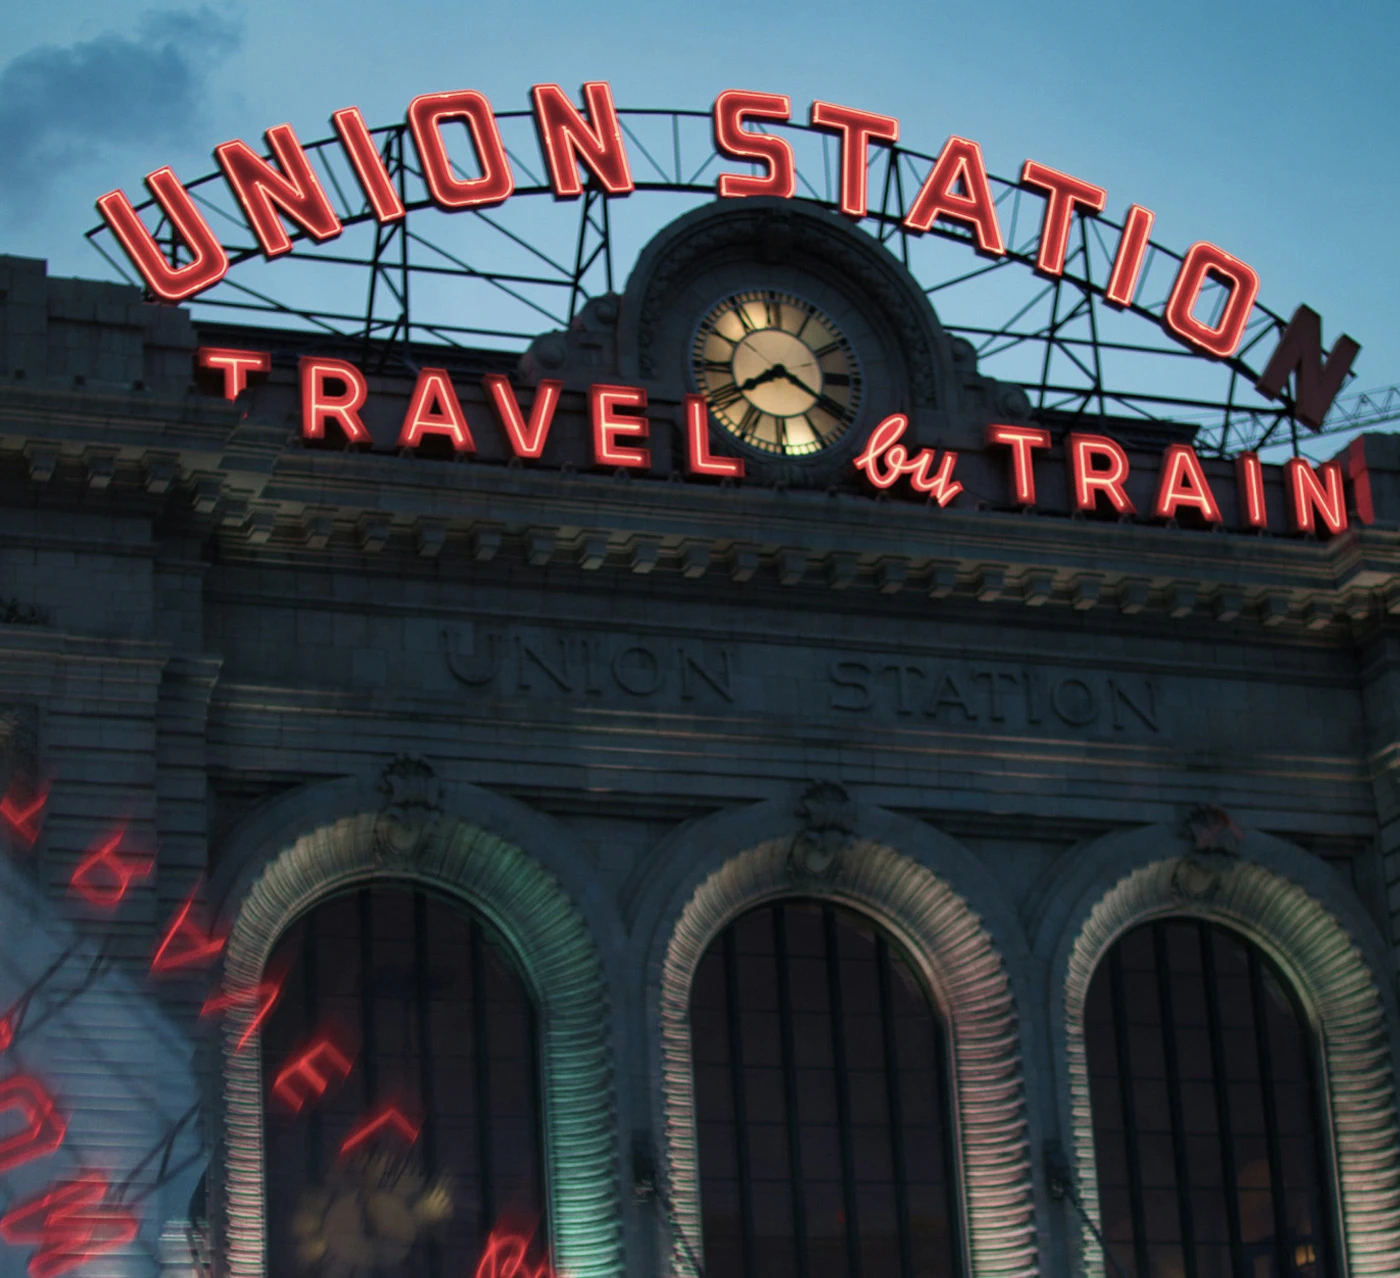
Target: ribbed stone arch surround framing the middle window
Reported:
[(969, 983)]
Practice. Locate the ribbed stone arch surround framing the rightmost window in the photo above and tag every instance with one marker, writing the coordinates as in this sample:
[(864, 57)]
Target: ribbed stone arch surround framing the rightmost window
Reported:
[(1339, 992)]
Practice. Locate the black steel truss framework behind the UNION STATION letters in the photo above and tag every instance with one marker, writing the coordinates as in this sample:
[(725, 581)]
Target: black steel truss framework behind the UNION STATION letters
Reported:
[(500, 276)]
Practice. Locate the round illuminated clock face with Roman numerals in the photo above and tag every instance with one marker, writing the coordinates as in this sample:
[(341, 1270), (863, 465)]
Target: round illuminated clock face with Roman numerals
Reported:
[(778, 373)]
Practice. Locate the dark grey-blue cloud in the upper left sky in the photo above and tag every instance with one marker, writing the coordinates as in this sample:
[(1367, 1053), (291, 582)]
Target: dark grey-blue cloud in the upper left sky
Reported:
[(65, 106)]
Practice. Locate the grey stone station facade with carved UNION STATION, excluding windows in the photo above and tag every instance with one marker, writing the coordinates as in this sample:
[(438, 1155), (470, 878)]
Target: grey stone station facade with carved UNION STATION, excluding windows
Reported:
[(1007, 736)]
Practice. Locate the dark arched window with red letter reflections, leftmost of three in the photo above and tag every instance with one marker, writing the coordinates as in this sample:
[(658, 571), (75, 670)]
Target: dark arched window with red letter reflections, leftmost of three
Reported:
[(426, 1006)]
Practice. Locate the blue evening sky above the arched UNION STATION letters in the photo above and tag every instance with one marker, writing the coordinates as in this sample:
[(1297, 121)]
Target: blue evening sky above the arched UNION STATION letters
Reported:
[(1268, 128)]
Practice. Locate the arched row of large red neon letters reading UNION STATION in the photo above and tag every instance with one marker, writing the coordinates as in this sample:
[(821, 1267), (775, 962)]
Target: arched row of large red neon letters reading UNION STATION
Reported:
[(586, 141)]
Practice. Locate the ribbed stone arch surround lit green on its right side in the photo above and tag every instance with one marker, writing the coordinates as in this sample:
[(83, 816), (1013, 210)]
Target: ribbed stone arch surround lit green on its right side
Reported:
[(527, 905)]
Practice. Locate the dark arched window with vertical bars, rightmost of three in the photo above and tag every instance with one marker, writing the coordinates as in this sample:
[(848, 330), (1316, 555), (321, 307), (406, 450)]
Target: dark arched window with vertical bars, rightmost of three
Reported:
[(1206, 1101)]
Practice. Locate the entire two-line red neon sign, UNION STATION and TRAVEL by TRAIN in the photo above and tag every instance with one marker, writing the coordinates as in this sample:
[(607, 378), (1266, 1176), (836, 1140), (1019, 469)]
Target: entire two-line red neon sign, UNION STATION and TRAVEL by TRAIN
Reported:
[(589, 141)]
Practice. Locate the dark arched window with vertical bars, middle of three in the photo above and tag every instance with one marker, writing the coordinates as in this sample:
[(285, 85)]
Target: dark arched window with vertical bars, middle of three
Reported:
[(821, 1084)]
